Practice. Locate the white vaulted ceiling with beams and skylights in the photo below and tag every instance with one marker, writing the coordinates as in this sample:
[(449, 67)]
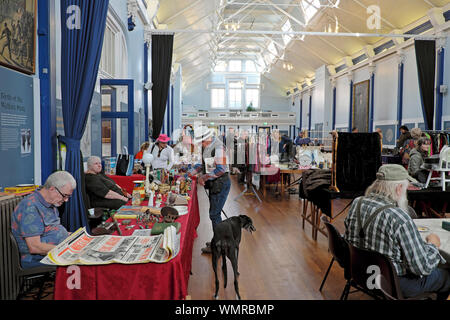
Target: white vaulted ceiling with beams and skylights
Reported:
[(197, 50)]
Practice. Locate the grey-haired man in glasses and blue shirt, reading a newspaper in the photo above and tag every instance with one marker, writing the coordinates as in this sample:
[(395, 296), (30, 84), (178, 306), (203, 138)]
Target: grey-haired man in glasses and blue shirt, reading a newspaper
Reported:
[(35, 222)]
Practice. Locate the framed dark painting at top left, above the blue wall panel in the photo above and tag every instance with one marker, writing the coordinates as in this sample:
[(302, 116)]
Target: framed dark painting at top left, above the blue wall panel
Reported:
[(18, 35)]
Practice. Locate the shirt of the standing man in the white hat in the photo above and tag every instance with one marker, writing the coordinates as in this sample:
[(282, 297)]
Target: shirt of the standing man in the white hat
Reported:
[(220, 160)]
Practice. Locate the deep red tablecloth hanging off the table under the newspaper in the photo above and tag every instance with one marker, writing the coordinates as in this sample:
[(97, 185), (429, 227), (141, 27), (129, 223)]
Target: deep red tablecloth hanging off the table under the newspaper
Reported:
[(150, 281)]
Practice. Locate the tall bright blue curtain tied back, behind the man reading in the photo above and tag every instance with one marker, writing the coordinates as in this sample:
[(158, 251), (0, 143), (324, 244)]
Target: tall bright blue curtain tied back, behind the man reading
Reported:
[(81, 48)]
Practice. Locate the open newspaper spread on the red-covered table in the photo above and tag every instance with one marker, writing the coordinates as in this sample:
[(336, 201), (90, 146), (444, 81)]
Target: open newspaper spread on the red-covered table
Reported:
[(83, 249)]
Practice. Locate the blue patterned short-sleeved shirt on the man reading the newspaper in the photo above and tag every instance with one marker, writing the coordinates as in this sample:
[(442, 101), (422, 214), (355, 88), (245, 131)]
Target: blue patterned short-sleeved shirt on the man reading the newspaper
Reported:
[(33, 217)]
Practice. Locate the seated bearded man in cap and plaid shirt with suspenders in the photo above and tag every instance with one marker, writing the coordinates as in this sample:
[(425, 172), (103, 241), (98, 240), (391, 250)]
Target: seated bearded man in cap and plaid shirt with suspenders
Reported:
[(379, 221)]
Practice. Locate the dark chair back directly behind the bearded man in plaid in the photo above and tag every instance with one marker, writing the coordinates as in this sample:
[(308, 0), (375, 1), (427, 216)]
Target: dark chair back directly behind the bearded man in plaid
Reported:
[(374, 271)]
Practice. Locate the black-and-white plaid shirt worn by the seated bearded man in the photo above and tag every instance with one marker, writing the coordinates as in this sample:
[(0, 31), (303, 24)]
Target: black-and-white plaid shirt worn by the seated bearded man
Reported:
[(393, 234)]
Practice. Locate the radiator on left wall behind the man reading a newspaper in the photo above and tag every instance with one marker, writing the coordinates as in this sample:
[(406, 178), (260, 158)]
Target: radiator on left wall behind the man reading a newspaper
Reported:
[(9, 282)]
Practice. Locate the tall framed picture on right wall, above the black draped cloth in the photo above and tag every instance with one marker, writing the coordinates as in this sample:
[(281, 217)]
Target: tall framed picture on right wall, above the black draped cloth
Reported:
[(361, 106)]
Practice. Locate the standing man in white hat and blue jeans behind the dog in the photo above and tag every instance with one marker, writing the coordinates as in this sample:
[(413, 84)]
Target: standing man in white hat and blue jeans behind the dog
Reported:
[(214, 173)]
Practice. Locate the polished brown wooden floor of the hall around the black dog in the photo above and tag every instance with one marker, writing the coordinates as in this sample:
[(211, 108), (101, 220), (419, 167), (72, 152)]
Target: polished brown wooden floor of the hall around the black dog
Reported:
[(278, 261)]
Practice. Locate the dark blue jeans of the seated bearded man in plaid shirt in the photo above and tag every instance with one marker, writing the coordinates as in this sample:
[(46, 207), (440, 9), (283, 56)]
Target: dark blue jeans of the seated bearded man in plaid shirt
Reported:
[(438, 281)]
